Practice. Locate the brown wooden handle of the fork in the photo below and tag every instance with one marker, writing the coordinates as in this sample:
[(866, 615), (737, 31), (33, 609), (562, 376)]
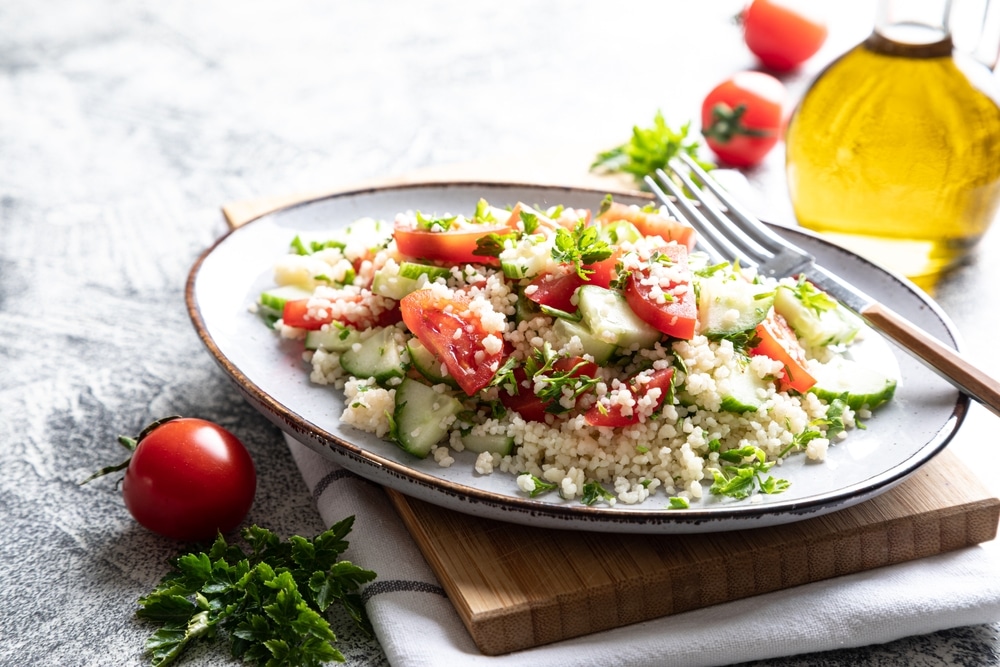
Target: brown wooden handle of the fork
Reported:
[(944, 360)]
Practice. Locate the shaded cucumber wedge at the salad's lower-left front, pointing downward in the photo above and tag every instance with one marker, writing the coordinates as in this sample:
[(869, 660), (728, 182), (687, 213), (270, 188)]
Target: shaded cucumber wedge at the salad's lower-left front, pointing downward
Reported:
[(421, 416)]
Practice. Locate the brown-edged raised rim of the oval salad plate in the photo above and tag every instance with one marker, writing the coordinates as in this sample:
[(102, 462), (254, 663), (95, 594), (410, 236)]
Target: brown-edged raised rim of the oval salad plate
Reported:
[(519, 509)]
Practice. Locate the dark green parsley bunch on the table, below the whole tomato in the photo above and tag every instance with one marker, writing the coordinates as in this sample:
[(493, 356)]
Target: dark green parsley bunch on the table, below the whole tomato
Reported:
[(269, 601)]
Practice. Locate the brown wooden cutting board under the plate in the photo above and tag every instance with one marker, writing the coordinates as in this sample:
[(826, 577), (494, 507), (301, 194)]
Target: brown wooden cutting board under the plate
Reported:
[(516, 587)]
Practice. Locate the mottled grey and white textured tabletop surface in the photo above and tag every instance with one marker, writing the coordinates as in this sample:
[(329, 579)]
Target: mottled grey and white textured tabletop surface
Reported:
[(123, 128)]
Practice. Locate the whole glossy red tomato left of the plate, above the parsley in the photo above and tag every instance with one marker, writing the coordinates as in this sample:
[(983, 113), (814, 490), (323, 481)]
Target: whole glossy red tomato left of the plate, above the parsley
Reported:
[(189, 479)]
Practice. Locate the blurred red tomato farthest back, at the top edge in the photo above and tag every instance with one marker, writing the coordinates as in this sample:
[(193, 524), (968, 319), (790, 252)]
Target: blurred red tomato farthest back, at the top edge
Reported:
[(782, 35)]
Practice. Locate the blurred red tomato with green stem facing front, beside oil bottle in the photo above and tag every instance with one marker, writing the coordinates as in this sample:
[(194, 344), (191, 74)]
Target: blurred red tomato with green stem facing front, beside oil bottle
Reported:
[(743, 117)]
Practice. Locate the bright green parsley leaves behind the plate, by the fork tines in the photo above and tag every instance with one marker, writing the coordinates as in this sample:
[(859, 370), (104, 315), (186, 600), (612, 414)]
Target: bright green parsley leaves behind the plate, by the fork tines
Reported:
[(649, 149)]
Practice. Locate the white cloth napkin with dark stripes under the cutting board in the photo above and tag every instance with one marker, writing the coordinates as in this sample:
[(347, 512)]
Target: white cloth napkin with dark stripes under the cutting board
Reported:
[(417, 626)]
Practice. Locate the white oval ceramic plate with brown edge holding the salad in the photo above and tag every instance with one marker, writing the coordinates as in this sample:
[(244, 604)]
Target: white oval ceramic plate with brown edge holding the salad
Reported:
[(270, 373)]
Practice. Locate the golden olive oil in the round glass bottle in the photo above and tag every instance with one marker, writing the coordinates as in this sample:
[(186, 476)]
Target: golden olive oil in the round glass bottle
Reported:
[(894, 152)]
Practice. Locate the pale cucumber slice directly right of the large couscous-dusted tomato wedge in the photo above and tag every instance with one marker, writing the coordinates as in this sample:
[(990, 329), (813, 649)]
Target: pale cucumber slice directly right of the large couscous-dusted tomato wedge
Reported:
[(728, 305)]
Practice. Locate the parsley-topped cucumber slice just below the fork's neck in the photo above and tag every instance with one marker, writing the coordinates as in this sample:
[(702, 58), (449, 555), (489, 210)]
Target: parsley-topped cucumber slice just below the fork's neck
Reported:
[(823, 323)]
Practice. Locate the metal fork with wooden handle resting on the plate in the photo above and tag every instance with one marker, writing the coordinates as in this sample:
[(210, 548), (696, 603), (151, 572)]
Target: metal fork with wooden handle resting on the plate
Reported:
[(739, 235)]
